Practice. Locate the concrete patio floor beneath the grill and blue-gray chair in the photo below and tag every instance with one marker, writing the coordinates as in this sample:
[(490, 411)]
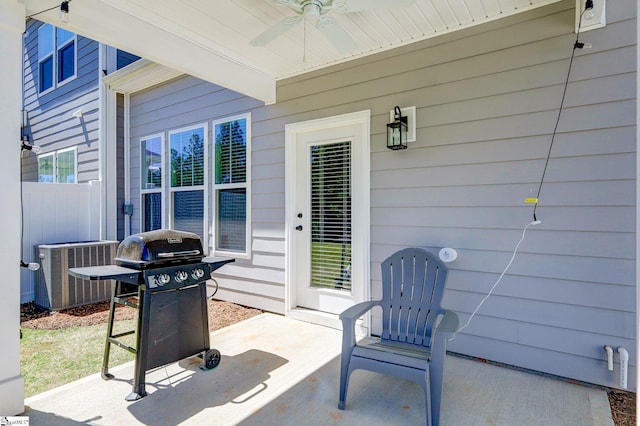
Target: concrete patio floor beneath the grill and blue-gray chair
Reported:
[(279, 371)]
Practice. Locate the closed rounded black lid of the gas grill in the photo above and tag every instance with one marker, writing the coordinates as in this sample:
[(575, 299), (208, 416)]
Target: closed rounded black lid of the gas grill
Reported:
[(160, 247)]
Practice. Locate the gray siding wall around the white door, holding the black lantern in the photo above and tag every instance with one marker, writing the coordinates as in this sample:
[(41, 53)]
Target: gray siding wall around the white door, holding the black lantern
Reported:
[(487, 100)]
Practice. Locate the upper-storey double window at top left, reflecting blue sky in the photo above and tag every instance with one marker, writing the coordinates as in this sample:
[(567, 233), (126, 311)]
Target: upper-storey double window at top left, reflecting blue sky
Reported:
[(56, 57)]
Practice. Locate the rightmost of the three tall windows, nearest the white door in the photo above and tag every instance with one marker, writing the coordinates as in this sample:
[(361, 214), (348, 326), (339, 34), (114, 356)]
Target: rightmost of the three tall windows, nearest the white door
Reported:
[(230, 186)]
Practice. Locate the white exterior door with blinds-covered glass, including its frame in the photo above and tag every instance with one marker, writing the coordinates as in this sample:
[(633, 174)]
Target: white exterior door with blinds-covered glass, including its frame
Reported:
[(328, 213)]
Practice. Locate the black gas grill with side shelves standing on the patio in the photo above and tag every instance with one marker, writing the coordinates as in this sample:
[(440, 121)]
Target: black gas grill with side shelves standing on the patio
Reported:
[(168, 273)]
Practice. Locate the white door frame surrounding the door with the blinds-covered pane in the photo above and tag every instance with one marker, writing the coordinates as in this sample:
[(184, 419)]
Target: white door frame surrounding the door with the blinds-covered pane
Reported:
[(362, 119)]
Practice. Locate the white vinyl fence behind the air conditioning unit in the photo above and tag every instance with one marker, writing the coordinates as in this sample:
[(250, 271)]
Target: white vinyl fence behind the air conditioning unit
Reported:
[(56, 213)]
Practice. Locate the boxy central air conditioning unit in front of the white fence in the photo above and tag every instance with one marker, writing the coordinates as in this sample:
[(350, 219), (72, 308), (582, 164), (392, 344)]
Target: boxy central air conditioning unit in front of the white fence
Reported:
[(55, 289)]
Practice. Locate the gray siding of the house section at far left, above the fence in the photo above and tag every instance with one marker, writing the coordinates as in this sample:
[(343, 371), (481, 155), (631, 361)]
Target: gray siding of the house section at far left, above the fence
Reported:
[(51, 125)]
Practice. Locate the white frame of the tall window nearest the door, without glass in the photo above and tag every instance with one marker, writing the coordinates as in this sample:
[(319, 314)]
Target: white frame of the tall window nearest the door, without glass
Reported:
[(246, 185)]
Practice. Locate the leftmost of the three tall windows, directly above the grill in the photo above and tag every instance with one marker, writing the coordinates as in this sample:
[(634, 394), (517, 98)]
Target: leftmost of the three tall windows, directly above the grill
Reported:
[(151, 162)]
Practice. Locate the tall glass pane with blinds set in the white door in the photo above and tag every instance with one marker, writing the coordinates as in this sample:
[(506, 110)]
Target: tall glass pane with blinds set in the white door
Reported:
[(331, 215)]
